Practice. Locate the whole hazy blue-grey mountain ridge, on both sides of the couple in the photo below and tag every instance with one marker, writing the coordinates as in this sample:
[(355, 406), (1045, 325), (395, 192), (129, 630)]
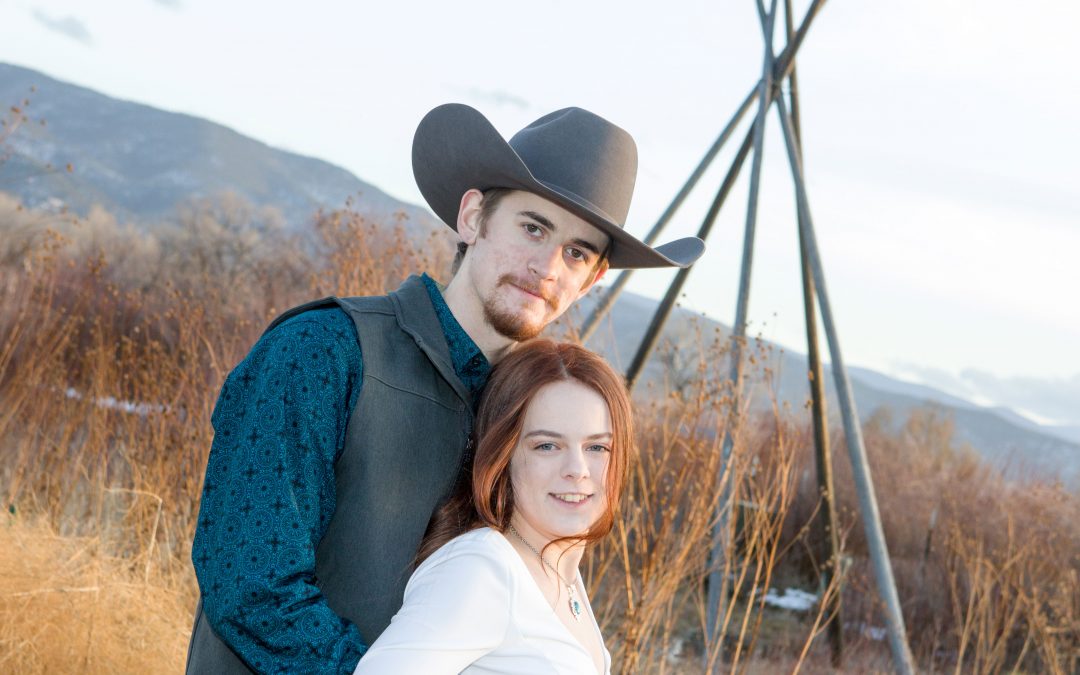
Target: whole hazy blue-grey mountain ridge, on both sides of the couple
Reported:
[(141, 163)]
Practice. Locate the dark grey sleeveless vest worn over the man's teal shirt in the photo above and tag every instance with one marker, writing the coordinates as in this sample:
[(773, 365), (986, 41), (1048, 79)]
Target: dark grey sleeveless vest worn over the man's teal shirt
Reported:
[(404, 448)]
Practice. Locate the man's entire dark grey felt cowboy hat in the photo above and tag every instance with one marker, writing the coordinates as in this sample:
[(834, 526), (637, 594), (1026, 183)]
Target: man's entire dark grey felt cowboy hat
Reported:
[(572, 157)]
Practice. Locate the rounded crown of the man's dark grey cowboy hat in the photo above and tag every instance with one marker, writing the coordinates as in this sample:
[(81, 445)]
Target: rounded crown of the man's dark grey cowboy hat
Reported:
[(584, 156)]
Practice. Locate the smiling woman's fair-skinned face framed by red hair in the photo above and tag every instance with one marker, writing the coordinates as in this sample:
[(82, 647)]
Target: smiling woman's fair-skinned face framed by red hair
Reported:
[(560, 464)]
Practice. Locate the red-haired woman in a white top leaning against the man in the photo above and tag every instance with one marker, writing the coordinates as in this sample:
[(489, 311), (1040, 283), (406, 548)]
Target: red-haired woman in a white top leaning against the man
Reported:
[(498, 590)]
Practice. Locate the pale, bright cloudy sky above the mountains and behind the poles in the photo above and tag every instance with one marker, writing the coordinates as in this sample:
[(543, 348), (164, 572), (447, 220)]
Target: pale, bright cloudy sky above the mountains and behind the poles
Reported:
[(940, 142)]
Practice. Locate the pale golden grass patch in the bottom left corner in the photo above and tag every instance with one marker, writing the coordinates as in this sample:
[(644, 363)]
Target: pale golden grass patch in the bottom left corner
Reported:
[(69, 605)]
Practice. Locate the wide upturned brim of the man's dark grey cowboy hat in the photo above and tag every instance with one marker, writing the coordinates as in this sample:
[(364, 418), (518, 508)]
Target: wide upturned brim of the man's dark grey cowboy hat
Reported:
[(456, 150)]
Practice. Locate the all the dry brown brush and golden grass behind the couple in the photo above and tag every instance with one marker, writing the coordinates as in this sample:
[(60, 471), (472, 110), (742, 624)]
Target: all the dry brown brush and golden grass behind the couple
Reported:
[(115, 342)]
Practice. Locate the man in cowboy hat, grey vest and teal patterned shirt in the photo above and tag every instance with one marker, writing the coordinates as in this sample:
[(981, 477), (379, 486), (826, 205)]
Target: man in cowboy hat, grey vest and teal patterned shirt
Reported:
[(347, 425)]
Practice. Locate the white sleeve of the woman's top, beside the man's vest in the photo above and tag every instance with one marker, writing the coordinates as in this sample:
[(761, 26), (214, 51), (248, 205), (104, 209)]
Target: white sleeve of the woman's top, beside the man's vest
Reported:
[(456, 610)]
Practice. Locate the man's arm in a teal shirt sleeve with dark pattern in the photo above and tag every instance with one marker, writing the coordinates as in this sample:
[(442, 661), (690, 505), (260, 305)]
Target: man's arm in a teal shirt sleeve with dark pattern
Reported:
[(269, 495)]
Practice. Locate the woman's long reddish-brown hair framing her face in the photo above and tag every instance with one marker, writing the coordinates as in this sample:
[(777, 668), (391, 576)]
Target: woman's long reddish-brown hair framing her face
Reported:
[(485, 495)]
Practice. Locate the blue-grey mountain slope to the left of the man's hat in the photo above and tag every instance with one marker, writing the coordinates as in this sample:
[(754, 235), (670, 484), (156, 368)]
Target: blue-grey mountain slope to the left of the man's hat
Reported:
[(141, 163)]
